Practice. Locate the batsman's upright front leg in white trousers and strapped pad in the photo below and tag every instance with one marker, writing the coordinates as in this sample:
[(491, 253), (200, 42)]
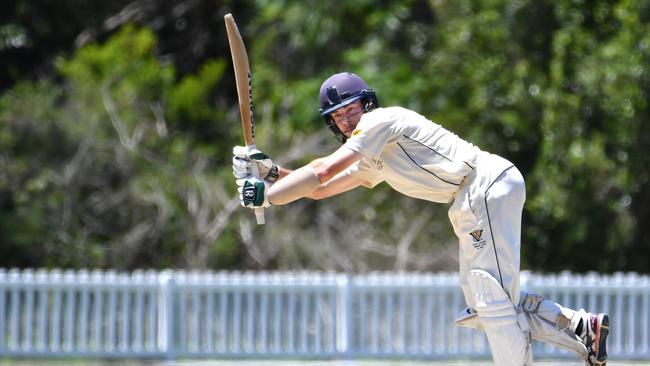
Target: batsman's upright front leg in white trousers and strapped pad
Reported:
[(487, 220)]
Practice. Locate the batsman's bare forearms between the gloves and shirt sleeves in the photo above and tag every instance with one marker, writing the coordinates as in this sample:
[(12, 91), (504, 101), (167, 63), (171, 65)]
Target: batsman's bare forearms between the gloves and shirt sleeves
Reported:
[(319, 179)]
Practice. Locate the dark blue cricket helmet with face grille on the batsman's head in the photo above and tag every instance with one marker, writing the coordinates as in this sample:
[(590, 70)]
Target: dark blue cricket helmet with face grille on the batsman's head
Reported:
[(340, 90)]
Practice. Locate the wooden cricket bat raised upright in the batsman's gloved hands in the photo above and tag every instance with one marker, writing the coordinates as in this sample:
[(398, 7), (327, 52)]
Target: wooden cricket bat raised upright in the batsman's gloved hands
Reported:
[(244, 90)]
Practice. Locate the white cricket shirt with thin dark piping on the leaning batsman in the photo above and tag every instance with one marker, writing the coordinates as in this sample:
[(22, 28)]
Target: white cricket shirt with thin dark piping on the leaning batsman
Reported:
[(415, 156)]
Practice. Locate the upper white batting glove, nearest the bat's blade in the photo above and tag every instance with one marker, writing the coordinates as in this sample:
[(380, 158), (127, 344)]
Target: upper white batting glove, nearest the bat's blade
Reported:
[(243, 160)]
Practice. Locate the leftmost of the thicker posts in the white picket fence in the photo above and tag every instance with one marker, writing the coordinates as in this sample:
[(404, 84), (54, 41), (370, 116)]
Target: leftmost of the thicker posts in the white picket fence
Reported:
[(166, 315)]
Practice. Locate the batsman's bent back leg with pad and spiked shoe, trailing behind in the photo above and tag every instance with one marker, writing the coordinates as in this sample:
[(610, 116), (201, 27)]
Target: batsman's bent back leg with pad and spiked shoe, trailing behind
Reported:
[(503, 203)]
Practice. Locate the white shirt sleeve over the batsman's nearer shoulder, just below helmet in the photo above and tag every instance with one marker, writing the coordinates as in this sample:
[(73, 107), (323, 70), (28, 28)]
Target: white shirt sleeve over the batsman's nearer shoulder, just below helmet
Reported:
[(373, 132)]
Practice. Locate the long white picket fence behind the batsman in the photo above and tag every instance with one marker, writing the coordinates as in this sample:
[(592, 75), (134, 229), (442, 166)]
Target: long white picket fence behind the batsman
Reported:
[(172, 314)]
